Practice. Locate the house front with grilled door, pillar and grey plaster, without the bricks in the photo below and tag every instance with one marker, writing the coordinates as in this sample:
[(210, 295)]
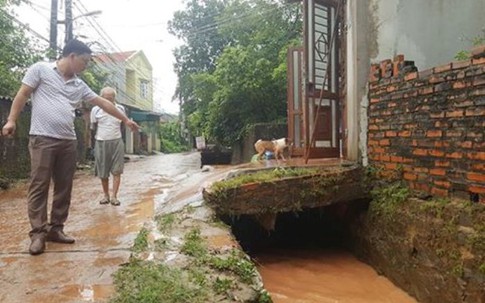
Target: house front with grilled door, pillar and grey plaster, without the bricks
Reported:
[(328, 75)]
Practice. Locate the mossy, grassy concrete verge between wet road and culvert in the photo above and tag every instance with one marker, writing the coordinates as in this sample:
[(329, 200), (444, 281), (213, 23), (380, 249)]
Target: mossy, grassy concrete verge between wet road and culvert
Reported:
[(197, 249)]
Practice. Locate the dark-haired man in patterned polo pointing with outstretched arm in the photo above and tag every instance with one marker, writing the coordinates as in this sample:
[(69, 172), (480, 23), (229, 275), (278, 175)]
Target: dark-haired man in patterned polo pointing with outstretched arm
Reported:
[(55, 91)]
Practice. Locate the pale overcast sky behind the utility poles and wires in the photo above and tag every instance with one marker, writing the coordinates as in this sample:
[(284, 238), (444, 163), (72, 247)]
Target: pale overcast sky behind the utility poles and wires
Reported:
[(125, 25)]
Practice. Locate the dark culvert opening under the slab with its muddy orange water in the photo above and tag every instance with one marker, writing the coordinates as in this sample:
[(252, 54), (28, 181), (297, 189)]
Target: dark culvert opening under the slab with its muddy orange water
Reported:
[(308, 256)]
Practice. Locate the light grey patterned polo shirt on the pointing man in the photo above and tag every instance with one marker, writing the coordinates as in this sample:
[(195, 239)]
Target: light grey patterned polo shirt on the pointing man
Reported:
[(54, 100)]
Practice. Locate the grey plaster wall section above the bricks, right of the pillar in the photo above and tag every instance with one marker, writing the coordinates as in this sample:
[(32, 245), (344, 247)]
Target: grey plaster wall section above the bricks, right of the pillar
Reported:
[(431, 32)]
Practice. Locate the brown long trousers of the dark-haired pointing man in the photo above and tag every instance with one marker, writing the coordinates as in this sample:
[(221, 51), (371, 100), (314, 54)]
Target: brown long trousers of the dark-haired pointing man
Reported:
[(50, 159)]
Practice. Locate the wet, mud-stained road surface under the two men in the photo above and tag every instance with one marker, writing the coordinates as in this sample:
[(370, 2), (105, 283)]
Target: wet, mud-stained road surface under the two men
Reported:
[(104, 234)]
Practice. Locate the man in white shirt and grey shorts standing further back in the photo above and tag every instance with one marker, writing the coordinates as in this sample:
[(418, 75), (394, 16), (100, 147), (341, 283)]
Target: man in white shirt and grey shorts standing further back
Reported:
[(109, 147)]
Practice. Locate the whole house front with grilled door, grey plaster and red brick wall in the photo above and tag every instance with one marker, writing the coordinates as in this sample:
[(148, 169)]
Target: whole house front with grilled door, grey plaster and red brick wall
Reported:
[(377, 82)]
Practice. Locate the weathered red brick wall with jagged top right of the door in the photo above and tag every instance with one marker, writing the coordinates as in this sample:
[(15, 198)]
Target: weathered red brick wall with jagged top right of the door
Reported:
[(427, 127)]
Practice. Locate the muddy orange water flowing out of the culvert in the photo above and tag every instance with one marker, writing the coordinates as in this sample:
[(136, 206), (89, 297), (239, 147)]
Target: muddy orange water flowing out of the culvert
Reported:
[(325, 276)]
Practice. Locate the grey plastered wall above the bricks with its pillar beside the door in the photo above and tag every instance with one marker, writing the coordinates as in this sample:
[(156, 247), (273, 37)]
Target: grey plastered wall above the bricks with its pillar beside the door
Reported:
[(430, 32)]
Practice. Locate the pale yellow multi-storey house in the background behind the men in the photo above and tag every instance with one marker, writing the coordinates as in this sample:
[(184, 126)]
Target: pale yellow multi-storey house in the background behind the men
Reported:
[(130, 73)]
